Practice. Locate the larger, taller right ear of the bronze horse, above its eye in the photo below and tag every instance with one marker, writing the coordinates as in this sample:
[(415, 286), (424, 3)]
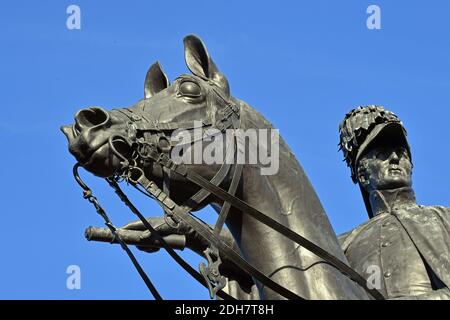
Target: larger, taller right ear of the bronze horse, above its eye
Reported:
[(200, 63)]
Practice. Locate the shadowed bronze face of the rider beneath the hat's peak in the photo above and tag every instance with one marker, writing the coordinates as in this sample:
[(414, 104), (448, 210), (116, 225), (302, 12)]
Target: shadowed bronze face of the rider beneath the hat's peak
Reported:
[(387, 167)]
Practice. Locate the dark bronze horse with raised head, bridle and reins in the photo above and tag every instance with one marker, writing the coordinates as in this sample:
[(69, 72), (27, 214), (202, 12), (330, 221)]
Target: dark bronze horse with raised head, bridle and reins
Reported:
[(279, 242)]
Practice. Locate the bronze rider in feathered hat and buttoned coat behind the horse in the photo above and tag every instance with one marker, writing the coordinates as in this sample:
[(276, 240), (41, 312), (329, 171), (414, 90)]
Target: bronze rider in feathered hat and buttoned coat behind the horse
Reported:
[(408, 243)]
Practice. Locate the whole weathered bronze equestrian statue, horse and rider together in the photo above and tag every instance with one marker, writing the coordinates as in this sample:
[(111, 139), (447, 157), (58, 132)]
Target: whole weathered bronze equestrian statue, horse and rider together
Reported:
[(134, 143)]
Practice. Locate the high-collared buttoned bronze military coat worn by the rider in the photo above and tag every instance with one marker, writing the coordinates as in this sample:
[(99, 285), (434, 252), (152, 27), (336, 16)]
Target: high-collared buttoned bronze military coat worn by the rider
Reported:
[(406, 246)]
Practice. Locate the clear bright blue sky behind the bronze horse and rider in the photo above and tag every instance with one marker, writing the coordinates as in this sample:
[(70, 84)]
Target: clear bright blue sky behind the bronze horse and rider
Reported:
[(303, 64)]
